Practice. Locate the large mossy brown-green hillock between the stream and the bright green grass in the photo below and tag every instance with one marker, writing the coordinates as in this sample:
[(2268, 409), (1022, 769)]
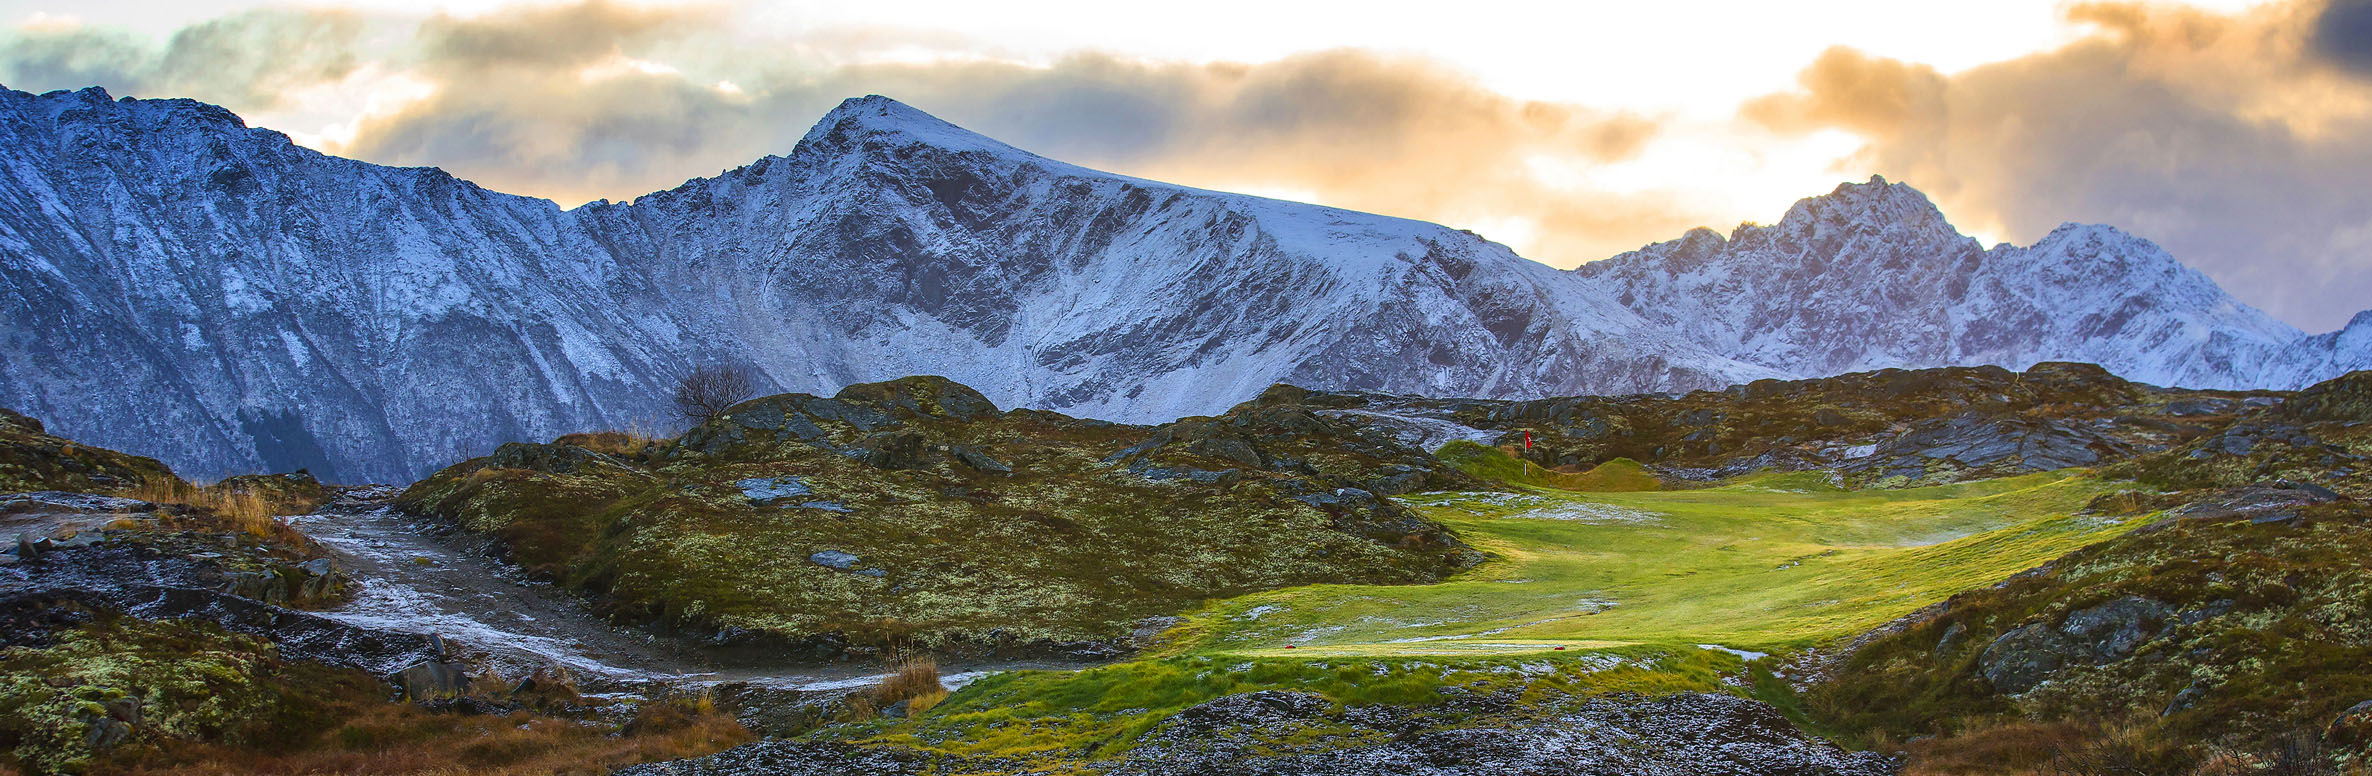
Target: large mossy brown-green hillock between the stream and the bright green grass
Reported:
[(914, 514)]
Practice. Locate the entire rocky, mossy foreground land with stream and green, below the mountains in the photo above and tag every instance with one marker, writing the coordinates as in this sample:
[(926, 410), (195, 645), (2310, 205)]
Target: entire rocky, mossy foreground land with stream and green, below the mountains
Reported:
[(2198, 604)]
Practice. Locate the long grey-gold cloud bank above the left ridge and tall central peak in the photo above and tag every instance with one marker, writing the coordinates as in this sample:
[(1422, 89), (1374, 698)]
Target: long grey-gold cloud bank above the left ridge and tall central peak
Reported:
[(616, 101)]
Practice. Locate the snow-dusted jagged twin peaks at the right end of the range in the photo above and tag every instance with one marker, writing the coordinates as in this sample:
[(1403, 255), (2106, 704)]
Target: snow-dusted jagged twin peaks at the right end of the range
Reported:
[(1873, 276)]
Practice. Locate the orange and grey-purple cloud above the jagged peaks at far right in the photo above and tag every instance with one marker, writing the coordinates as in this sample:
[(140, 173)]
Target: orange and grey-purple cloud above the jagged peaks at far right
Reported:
[(2228, 139)]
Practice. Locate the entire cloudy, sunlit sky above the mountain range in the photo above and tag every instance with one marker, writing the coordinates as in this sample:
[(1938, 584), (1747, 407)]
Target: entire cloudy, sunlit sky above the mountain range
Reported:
[(2236, 134)]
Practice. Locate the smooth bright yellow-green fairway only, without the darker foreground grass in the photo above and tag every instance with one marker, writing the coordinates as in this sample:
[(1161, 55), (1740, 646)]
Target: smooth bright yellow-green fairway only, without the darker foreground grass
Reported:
[(1766, 564)]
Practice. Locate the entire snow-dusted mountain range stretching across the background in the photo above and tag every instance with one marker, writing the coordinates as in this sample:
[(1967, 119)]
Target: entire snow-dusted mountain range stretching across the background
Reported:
[(191, 288)]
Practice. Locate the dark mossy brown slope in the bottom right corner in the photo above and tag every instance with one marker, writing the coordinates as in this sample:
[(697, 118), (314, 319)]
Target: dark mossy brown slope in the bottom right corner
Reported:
[(2271, 632)]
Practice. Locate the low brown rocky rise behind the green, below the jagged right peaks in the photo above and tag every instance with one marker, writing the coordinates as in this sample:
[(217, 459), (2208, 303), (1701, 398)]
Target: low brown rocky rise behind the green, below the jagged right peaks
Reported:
[(1889, 428)]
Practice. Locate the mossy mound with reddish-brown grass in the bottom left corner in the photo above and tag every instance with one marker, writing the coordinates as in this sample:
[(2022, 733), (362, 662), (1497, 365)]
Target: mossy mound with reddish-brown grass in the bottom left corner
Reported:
[(191, 699)]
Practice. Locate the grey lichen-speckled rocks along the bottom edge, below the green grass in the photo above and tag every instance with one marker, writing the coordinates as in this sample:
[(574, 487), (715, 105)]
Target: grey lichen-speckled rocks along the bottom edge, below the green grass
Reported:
[(1280, 732)]
